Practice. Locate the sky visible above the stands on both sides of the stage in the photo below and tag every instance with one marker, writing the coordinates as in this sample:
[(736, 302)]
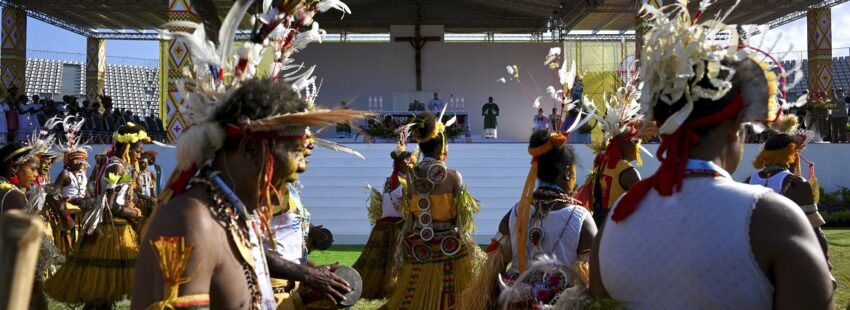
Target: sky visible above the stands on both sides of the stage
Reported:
[(42, 36)]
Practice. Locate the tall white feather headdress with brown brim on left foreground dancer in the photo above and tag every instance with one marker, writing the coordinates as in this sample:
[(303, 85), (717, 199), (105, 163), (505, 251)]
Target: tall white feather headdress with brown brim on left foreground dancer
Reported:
[(218, 72)]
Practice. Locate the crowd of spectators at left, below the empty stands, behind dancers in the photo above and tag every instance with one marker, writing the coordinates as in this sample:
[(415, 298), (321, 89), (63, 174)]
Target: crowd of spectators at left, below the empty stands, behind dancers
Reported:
[(23, 116)]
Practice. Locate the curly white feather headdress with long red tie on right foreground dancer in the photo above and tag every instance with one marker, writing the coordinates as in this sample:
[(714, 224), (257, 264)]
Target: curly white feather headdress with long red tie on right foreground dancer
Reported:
[(686, 62)]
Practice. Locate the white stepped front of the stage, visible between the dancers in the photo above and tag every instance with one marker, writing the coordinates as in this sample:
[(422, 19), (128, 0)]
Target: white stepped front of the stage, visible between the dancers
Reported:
[(335, 184)]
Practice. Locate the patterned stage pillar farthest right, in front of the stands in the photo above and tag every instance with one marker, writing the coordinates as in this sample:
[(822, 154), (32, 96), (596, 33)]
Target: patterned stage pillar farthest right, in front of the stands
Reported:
[(820, 51)]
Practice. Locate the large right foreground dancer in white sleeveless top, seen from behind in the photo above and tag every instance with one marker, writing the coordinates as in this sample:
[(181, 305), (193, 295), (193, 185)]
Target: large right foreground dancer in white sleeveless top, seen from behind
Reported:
[(689, 236)]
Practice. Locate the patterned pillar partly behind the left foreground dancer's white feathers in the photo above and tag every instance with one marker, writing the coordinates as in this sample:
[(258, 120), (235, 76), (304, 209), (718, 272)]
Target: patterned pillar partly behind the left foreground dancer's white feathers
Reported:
[(175, 57)]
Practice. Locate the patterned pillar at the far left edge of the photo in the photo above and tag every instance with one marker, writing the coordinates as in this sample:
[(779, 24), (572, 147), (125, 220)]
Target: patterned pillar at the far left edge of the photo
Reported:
[(13, 52)]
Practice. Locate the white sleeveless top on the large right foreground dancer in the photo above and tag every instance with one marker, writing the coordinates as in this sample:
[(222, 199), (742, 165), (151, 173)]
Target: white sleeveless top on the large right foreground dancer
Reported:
[(687, 251)]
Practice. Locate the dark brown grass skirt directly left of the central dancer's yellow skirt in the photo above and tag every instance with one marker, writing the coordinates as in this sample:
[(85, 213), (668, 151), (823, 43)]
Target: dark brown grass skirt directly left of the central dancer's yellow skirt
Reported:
[(379, 263)]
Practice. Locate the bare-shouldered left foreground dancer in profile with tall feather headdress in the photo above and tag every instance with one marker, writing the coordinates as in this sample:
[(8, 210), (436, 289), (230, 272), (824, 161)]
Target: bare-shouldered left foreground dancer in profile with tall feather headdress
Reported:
[(233, 167)]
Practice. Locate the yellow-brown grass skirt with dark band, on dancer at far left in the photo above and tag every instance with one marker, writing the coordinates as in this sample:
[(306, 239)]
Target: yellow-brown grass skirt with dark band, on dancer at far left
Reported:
[(100, 270)]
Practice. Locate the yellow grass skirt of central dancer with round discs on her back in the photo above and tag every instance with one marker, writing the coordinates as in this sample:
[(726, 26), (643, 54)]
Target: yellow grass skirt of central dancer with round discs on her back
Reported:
[(435, 284)]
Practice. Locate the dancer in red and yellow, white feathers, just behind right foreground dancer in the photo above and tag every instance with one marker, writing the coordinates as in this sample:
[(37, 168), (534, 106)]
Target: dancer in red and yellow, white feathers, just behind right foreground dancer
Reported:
[(622, 128)]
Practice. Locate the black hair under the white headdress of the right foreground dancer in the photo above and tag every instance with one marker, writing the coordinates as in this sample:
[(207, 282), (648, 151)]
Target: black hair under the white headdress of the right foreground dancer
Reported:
[(704, 106)]
